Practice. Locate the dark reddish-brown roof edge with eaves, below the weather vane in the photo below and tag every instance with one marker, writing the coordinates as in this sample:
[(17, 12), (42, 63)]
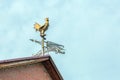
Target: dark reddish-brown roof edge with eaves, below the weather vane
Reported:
[(45, 60)]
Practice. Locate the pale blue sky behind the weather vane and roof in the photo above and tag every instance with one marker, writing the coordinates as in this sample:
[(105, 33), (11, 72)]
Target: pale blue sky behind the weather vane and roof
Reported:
[(89, 30)]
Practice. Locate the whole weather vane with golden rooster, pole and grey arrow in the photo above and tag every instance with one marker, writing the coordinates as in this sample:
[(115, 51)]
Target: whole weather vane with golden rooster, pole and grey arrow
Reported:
[(47, 46)]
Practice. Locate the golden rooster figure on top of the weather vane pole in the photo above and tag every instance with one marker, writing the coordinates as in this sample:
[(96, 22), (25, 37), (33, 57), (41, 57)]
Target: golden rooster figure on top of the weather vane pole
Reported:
[(42, 28)]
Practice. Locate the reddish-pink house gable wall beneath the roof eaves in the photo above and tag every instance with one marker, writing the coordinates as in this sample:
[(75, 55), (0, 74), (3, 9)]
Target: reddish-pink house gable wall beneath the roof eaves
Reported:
[(26, 72)]
